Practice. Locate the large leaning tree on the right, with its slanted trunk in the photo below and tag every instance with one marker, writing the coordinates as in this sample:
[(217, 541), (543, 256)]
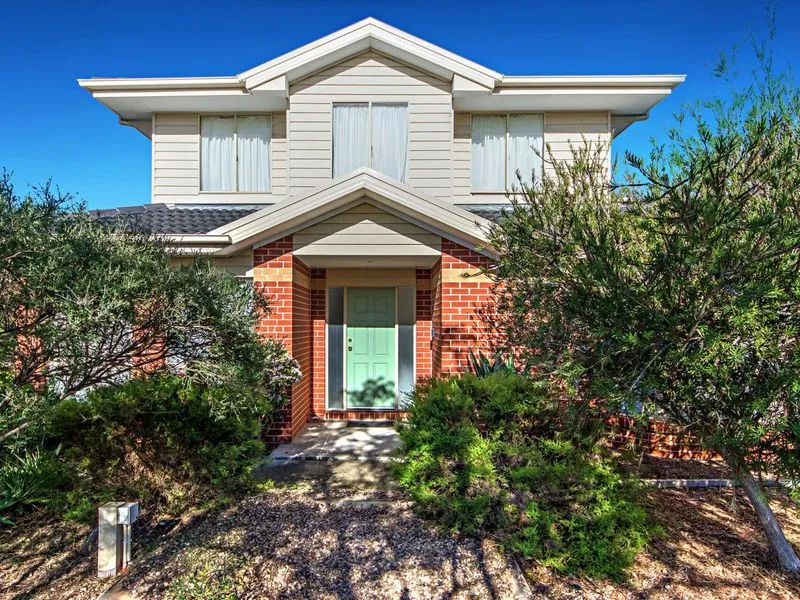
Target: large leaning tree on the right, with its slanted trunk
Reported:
[(680, 288)]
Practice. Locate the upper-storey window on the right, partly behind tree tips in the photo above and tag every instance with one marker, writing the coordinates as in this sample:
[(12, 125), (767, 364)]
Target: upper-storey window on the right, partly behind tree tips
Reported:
[(503, 145)]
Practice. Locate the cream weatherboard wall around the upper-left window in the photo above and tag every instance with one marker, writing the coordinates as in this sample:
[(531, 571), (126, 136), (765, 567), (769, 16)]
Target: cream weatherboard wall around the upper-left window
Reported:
[(176, 162)]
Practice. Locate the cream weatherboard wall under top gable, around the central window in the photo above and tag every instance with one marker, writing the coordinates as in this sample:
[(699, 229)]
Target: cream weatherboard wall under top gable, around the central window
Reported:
[(371, 77)]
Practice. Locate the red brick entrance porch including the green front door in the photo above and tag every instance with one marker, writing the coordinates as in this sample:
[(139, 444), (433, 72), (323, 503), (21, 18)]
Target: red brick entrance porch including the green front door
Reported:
[(364, 337)]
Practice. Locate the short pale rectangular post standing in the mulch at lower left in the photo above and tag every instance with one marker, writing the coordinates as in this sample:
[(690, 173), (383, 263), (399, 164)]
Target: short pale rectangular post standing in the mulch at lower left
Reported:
[(114, 537)]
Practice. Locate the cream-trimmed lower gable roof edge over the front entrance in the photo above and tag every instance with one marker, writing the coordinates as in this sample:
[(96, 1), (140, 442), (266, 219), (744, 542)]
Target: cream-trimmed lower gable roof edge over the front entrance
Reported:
[(293, 214)]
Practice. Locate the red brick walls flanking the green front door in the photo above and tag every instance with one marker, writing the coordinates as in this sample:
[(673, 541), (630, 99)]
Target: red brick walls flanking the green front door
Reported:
[(448, 322)]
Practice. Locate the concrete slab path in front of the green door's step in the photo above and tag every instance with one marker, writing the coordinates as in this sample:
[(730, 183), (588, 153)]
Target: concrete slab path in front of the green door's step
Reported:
[(336, 440)]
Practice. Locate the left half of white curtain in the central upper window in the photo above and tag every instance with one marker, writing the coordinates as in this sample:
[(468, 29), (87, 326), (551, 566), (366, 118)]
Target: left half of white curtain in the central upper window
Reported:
[(350, 137)]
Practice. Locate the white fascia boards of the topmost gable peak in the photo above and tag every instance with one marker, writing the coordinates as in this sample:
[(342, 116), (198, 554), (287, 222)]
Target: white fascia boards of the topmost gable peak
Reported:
[(359, 36)]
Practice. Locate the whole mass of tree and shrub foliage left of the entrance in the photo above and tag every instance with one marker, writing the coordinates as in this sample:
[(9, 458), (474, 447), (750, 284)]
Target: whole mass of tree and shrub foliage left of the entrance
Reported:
[(84, 307)]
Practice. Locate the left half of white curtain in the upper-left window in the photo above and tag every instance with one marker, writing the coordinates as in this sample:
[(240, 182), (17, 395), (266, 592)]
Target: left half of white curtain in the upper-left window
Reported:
[(216, 154)]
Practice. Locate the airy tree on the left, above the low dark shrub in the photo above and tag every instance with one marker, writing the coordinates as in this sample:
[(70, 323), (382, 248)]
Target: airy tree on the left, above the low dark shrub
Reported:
[(84, 304)]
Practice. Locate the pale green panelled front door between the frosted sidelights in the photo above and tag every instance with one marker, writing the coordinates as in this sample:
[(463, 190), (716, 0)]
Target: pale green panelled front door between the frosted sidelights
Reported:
[(370, 349)]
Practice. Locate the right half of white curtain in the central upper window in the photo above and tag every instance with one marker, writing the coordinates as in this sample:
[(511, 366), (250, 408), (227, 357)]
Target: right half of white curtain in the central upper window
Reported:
[(390, 139)]
